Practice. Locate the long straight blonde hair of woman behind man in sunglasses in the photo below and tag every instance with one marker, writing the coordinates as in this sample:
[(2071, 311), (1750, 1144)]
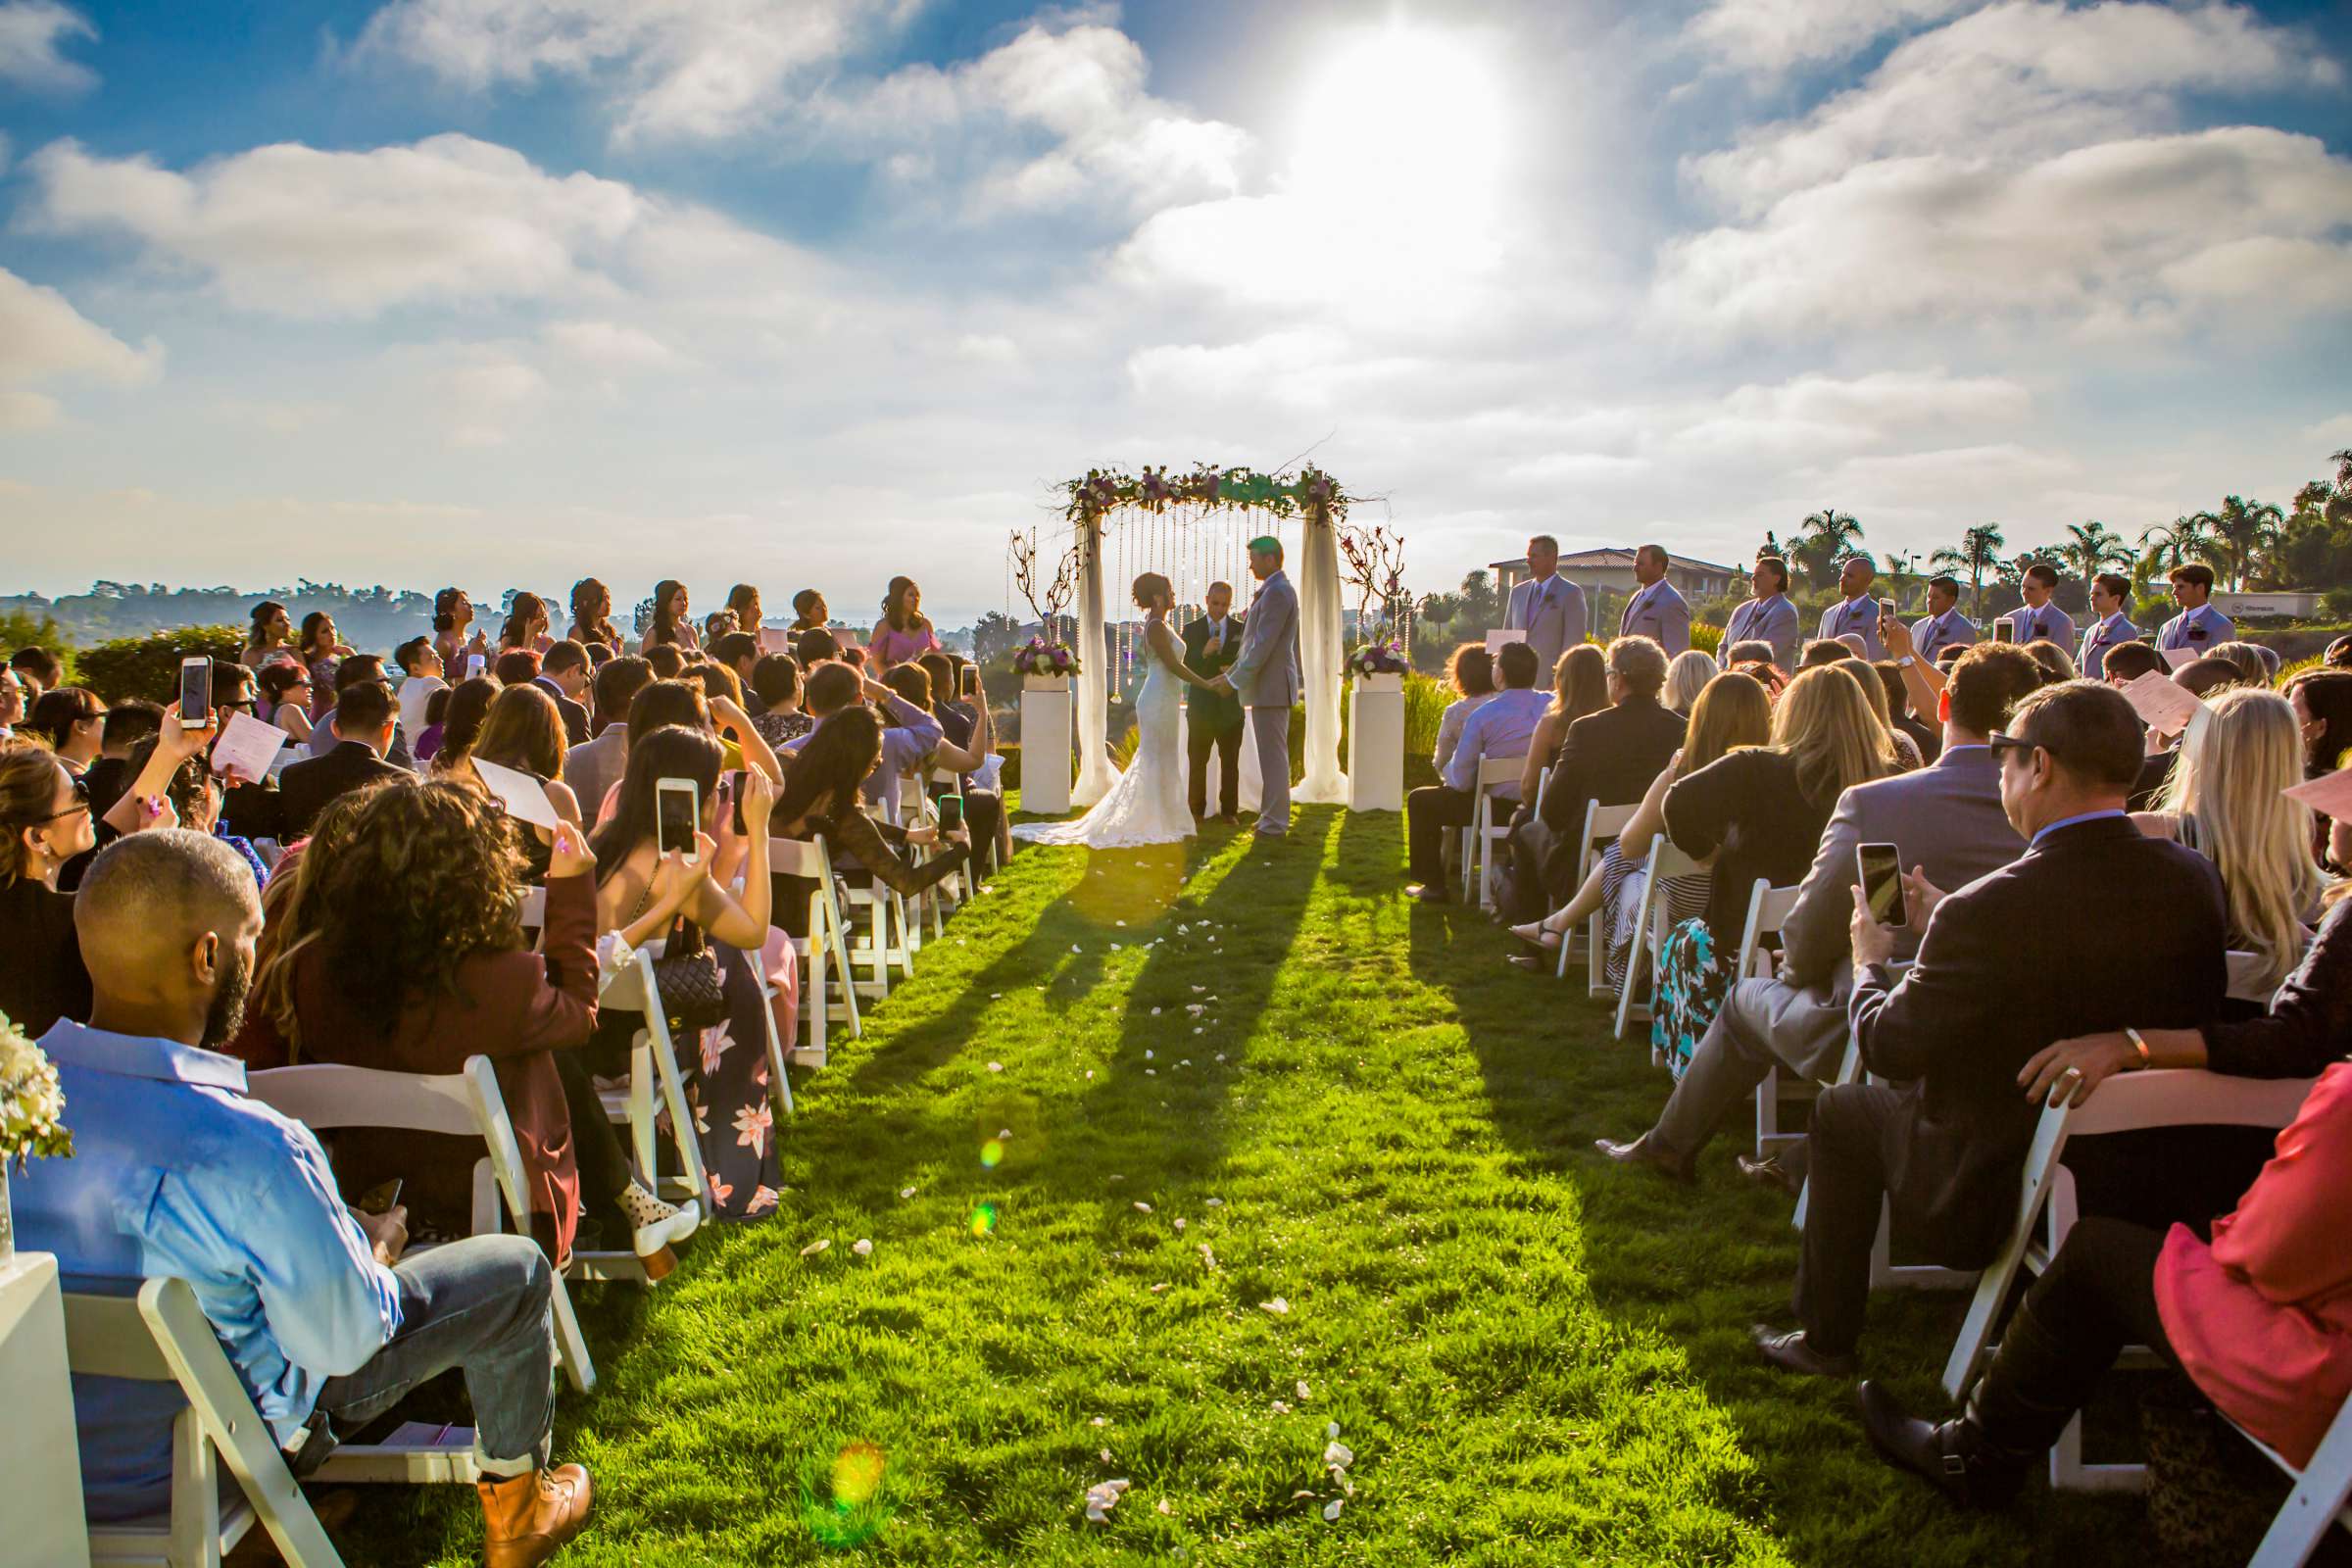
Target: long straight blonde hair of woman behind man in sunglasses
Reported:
[(2233, 770)]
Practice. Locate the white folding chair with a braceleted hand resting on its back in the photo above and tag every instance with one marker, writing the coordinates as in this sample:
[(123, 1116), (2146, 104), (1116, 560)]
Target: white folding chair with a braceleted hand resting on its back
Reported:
[(2134, 1101)]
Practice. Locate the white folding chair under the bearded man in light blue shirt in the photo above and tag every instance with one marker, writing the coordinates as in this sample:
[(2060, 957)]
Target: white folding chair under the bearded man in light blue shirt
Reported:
[(163, 1336)]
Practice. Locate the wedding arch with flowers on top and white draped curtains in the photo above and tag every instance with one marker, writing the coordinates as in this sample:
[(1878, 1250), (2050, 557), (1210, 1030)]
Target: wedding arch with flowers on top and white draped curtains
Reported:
[(1196, 530)]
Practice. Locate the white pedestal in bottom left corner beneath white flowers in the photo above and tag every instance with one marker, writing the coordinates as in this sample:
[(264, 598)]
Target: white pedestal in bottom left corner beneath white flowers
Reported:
[(39, 1452)]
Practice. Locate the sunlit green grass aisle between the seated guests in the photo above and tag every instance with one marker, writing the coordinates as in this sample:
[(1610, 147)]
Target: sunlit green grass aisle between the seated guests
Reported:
[(1535, 1358)]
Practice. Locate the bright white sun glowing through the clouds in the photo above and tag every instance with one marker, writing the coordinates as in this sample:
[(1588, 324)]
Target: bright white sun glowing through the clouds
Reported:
[(1403, 123)]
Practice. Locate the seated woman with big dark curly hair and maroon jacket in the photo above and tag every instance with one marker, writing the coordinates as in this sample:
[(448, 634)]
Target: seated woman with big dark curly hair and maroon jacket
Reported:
[(401, 953)]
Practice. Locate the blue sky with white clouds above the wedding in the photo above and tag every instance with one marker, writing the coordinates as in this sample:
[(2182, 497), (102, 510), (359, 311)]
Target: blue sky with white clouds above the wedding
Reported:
[(822, 290)]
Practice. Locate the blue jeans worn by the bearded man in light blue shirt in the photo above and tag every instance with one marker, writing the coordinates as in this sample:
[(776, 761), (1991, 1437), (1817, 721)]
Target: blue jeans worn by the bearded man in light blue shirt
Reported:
[(479, 1306)]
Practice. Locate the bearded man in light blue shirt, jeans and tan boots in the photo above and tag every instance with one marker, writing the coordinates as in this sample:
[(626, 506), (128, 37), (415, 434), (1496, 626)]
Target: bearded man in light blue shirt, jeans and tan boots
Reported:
[(180, 1174)]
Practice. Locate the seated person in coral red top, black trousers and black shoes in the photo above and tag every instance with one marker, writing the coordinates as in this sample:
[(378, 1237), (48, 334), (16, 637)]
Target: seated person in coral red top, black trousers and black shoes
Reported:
[(2259, 1320)]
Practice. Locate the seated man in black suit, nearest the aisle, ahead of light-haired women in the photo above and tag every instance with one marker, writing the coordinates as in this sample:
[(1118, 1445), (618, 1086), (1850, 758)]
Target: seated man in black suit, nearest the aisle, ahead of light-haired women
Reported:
[(1610, 758)]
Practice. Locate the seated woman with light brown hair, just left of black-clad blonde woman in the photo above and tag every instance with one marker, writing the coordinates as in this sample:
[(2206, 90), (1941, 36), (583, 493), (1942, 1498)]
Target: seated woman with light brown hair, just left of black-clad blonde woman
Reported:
[(1730, 716)]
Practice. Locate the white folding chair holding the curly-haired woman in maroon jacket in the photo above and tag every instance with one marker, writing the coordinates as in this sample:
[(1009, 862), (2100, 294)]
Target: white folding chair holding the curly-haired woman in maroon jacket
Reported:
[(328, 1097)]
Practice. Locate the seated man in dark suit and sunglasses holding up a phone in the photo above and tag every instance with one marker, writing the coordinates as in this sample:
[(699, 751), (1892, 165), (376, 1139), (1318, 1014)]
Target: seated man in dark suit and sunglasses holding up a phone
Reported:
[(2005, 970)]
